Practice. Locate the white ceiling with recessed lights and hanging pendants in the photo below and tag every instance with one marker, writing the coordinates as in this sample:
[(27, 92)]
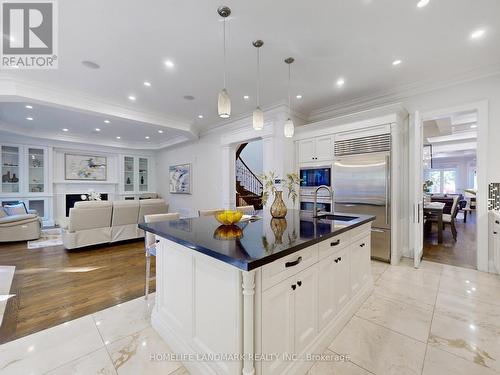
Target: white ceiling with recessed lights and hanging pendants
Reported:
[(356, 40)]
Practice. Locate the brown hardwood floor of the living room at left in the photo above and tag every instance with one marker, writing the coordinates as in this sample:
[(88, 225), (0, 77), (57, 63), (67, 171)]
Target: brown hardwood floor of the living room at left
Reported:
[(53, 285)]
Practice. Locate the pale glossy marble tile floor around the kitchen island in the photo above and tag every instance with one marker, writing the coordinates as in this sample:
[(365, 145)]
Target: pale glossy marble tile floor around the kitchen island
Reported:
[(438, 319)]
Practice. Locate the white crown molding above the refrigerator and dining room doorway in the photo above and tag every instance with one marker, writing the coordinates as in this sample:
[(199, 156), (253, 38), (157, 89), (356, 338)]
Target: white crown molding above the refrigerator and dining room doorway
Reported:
[(399, 93)]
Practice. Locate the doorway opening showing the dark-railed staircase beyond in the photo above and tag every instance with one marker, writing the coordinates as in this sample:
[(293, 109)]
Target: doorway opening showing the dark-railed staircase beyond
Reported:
[(249, 166)]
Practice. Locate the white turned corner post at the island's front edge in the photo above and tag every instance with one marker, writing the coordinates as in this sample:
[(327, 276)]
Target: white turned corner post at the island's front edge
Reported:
[(248, 322)]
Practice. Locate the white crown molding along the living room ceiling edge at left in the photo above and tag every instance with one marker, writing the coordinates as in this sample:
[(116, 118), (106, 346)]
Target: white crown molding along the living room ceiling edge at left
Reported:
[(17, 90)]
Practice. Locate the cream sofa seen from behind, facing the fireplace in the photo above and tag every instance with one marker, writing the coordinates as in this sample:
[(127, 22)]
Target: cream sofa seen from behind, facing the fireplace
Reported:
[(98, 222)]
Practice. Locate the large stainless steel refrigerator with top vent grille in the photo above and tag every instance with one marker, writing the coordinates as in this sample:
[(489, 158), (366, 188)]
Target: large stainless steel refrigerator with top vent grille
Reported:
[(362, 185)]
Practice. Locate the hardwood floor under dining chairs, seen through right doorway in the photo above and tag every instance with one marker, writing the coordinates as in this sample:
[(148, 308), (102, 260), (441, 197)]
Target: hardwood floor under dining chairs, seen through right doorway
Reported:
[(461, 253)]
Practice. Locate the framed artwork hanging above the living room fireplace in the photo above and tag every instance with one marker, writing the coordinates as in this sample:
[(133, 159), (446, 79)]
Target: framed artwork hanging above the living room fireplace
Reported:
[(85, 167)]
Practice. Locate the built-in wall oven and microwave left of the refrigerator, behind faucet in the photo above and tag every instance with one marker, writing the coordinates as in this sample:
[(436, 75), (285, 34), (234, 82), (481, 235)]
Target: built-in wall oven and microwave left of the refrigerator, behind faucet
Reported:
[(311, 178)]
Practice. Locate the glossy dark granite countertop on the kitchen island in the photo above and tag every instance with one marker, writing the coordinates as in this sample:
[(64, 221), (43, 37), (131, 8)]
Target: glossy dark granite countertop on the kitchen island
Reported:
[(261, 242)]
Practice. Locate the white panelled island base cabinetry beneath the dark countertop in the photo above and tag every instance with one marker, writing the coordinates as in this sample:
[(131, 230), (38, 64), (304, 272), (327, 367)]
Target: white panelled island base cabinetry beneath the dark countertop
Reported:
[(275, 314)]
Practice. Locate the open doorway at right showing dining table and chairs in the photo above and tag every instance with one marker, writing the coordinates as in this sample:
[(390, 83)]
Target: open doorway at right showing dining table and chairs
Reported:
[(449, 182)]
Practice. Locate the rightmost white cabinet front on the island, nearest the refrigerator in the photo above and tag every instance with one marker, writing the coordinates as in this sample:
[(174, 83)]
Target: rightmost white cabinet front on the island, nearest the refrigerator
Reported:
[(360, 263)]
